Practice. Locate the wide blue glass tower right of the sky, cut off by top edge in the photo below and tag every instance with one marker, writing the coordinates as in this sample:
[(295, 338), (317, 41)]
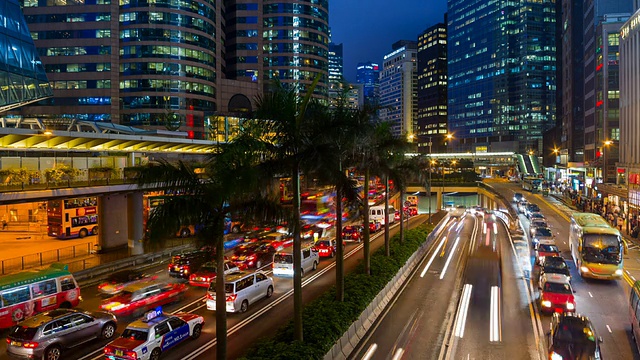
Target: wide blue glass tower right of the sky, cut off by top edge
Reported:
[(502, 74)]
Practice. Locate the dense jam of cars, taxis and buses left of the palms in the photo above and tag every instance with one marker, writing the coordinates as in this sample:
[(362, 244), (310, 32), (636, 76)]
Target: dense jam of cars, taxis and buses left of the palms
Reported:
[(145, 313)]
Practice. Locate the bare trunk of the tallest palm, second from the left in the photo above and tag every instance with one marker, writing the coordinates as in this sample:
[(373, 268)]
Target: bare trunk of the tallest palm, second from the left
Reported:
[(297, 257)]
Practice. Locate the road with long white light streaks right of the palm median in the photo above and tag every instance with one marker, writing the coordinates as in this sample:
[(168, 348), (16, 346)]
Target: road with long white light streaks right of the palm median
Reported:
[(466, 300)]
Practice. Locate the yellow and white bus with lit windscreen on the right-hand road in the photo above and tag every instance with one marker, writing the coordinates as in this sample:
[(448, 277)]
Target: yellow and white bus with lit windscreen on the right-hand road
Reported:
[(595, 246)]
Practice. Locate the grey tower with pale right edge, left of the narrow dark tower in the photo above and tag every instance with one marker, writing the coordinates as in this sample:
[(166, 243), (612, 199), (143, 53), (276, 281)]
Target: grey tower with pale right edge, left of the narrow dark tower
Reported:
[(399, 87)]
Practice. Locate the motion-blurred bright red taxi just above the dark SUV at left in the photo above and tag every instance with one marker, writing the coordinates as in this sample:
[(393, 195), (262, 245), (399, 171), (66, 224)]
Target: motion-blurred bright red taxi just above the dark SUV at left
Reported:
[(137, 298)]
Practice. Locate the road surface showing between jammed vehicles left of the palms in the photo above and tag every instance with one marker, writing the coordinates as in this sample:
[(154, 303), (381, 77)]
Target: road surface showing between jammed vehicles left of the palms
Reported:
[(261, 320)]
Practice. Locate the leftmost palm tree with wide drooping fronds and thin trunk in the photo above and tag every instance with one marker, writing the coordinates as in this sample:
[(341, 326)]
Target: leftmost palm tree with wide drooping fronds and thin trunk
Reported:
[(228, 182)]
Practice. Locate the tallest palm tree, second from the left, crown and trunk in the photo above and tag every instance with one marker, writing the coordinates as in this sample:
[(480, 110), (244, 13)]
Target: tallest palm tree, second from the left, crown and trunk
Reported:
[(285, 118)]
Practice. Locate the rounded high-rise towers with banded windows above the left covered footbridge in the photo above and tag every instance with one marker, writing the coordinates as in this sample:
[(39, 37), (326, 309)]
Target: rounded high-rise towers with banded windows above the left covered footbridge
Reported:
[(173, 64)]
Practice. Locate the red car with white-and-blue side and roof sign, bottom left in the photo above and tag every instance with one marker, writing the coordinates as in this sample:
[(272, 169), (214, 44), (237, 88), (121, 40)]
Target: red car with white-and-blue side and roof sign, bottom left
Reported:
[(155, 333)]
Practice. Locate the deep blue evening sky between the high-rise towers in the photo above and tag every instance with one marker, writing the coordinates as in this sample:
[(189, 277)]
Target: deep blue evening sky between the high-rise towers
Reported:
[(368, 28)]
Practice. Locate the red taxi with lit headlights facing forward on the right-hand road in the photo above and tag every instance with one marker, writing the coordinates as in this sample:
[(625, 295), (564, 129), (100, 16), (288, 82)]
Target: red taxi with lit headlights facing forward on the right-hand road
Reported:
[(556, 294)]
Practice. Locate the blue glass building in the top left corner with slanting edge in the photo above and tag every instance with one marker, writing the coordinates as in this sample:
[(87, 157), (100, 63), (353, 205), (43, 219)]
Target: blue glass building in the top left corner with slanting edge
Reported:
[(22, 76)]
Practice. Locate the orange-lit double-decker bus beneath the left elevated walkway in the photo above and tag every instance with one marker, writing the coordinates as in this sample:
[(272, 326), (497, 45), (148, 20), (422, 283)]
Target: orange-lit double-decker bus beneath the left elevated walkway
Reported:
[(71, 218)]
